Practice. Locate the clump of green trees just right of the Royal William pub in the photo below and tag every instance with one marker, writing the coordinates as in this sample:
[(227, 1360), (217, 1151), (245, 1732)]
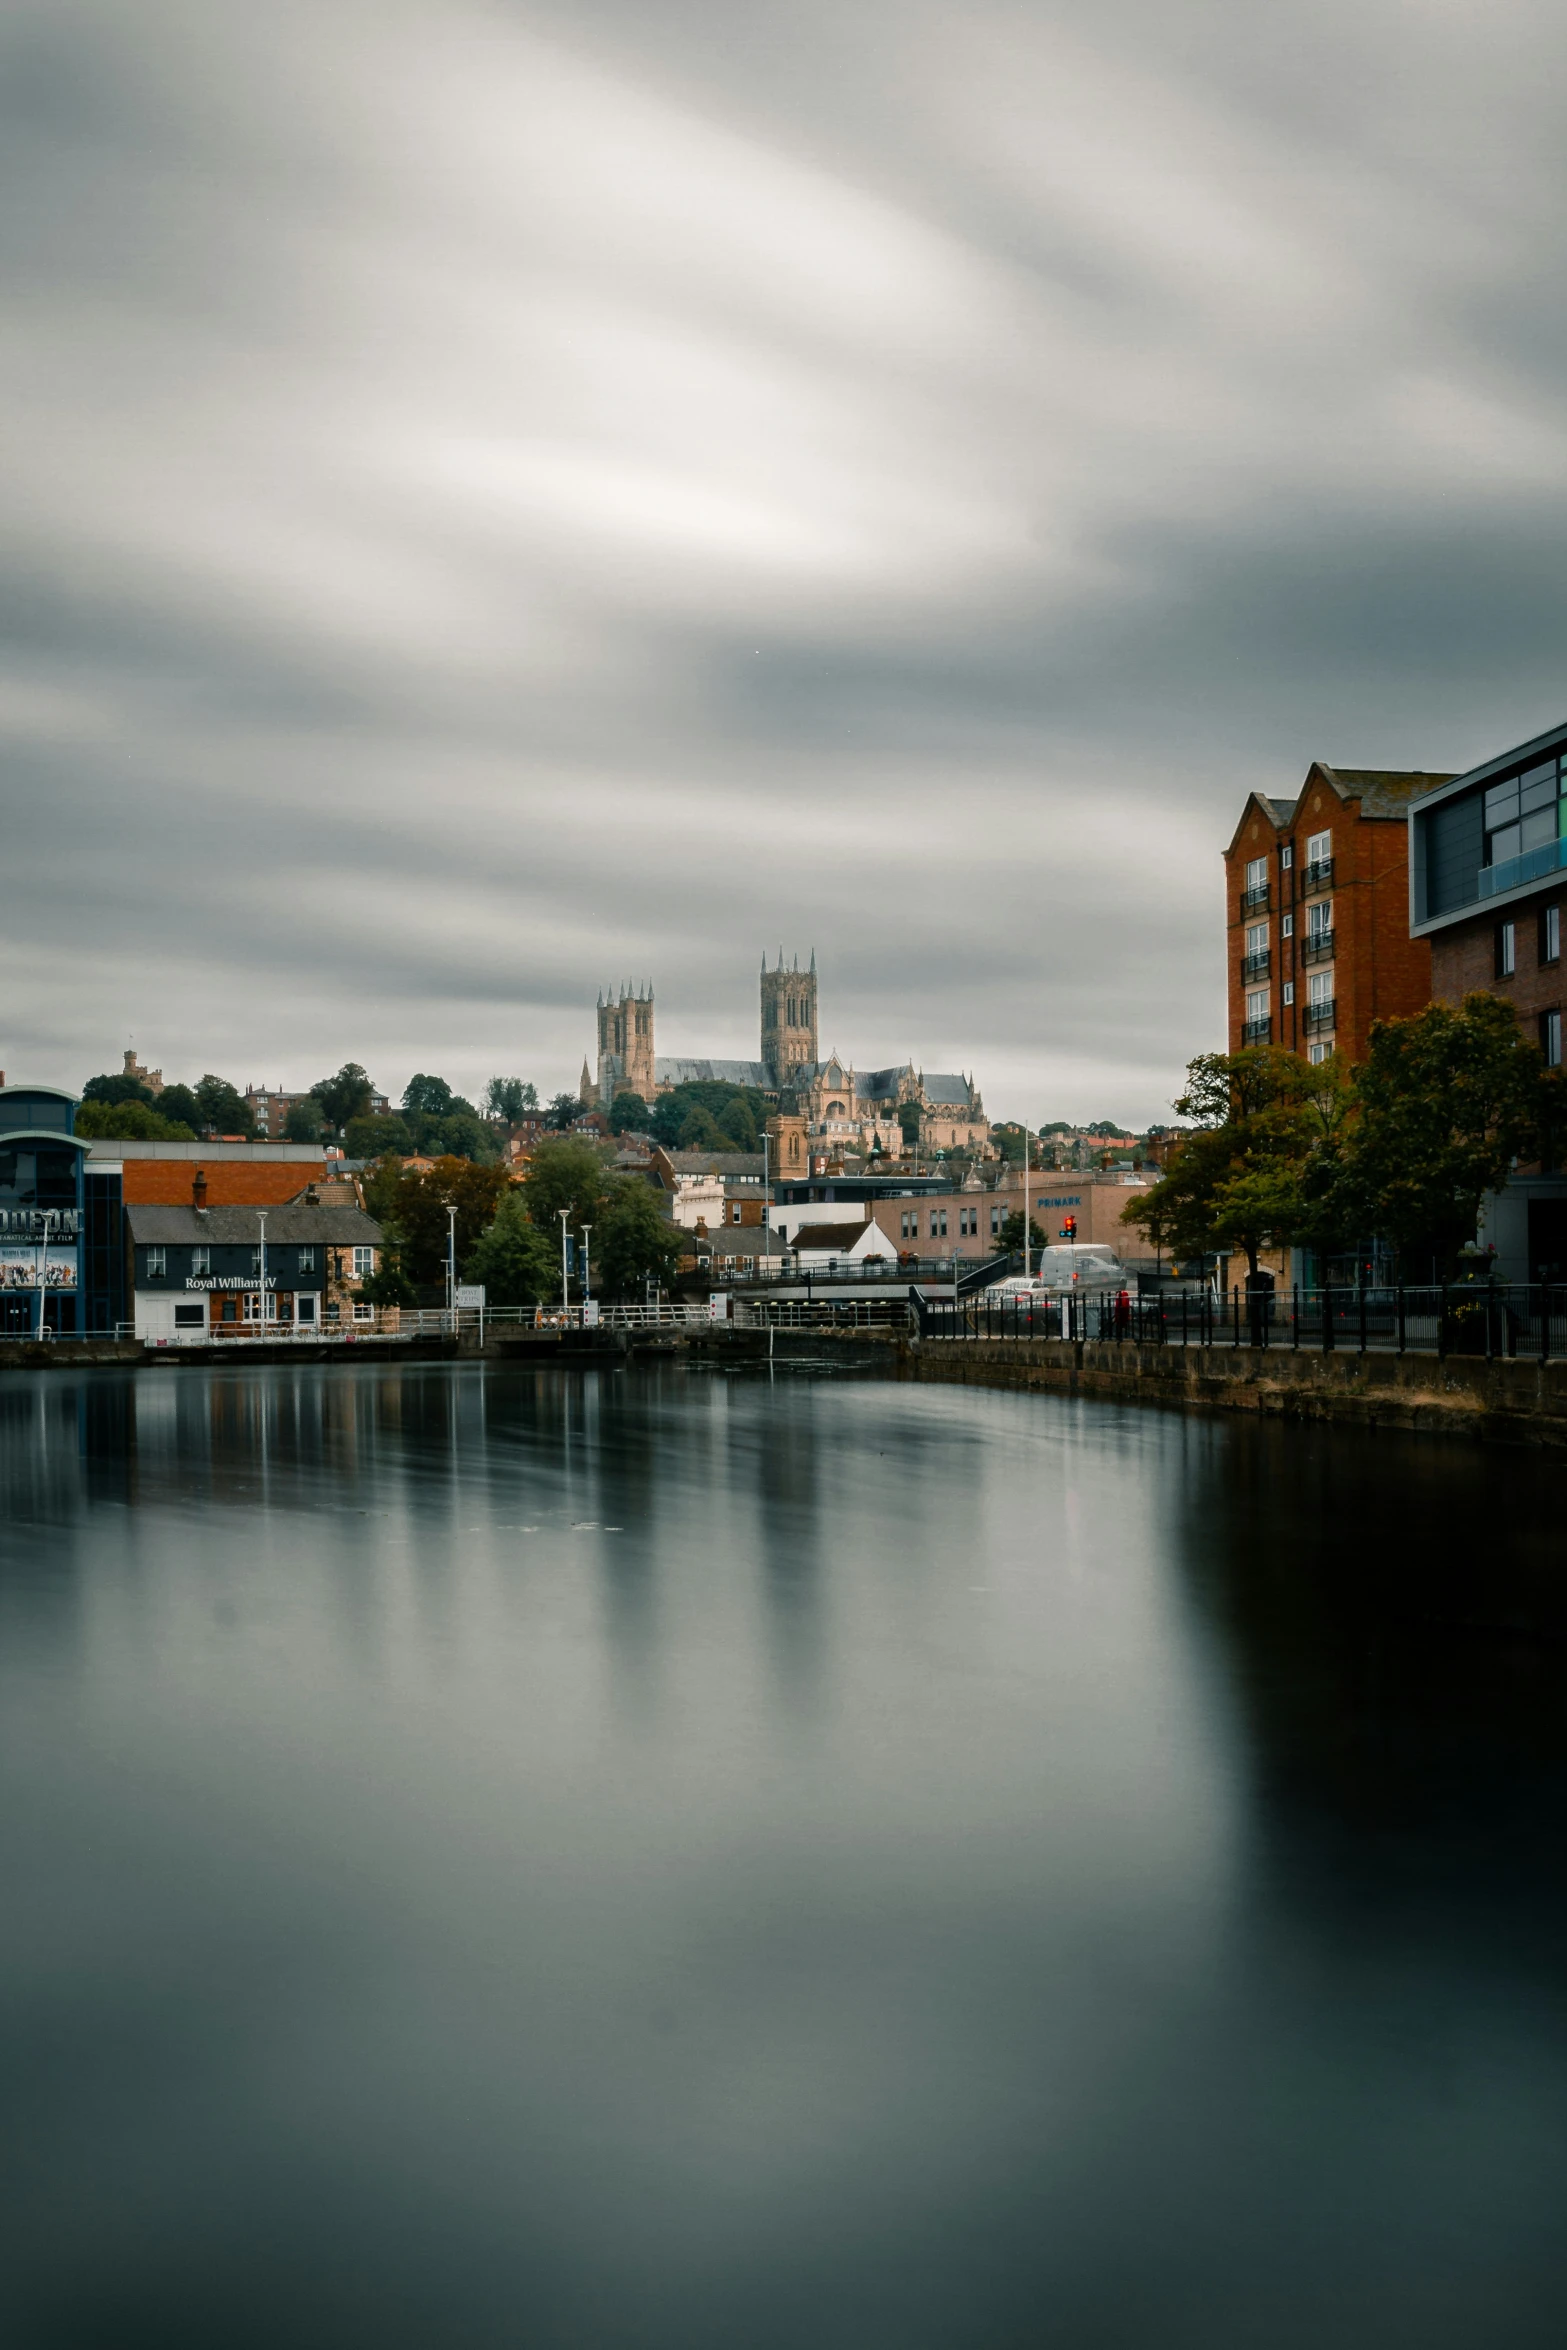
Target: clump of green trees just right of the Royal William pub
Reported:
[(509, 1235)]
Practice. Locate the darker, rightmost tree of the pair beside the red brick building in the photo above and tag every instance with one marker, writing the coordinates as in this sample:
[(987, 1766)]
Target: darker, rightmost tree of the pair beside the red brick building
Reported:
[(1446, 1103)]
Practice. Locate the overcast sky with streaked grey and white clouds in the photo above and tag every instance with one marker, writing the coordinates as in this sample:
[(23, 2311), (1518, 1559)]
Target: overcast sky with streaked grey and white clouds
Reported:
[(511, 497)]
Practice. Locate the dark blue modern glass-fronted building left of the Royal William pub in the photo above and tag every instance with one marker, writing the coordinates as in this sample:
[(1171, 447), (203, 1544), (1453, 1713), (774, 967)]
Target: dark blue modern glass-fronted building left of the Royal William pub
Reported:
[(62, 1256)]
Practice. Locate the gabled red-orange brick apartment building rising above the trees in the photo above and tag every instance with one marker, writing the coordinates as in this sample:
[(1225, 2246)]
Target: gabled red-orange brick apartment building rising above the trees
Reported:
[(1319, 913)]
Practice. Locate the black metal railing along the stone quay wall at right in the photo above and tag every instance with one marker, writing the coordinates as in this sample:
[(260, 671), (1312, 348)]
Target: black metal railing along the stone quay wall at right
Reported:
[(1479, 1320)]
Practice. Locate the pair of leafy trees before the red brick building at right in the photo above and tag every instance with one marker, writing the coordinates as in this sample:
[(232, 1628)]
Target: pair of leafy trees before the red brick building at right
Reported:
[(1399, 1148)]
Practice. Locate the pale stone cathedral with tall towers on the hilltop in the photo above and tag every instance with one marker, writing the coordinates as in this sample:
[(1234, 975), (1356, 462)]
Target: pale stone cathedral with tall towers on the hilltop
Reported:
[(845, 1108)]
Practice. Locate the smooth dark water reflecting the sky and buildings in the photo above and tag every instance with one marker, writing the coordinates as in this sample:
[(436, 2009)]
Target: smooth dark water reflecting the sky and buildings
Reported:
[(664, 1860)]
